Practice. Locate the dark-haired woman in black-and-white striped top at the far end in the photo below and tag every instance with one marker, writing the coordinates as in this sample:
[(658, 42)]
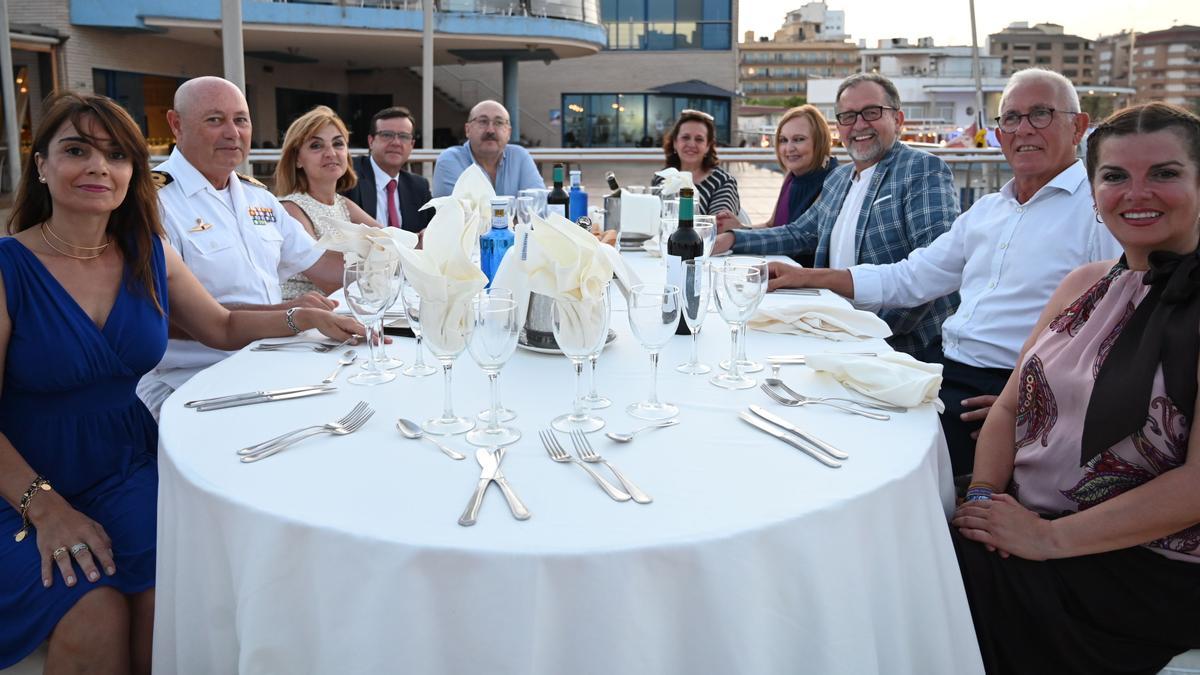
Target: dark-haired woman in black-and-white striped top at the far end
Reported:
[(692, 147)]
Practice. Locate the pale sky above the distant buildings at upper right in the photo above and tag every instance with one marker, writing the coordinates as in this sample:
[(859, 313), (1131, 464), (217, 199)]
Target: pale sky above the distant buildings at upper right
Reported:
[(949, 22)]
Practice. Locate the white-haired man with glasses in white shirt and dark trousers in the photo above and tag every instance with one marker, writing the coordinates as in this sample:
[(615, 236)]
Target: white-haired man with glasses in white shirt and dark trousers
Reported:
[(1006, 255)]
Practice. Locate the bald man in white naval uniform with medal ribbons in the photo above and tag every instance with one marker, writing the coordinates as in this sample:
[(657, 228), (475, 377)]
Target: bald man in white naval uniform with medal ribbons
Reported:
[(230, 230)]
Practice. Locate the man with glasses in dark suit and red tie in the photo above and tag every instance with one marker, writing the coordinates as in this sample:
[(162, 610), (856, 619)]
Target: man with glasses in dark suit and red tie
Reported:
[(385, 189)]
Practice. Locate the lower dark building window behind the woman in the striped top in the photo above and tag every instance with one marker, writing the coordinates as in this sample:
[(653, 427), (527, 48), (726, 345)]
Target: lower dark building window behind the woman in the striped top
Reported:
[(633, 121)]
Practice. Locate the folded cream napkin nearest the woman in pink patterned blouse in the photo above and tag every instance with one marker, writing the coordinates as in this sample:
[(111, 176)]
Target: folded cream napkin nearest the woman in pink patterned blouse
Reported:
[(895, 378)]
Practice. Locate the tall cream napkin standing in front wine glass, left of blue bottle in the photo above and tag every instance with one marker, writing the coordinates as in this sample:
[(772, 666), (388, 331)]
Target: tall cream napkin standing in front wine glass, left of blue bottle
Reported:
[(443, 273)]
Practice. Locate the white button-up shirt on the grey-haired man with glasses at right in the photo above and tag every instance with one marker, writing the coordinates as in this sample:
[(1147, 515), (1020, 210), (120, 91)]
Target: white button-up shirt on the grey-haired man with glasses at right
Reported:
[(1006, 259)]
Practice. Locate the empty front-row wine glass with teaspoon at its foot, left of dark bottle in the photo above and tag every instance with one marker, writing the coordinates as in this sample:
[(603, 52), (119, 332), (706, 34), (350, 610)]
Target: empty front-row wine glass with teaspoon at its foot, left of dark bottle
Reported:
[(653, 315)]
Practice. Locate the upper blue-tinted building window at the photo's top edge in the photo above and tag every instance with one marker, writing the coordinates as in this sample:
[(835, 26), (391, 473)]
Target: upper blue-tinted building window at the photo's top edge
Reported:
[(668, 25)]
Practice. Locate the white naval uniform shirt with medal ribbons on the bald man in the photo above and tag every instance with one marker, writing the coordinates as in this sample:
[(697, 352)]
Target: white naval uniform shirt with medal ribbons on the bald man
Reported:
[(239, 249)]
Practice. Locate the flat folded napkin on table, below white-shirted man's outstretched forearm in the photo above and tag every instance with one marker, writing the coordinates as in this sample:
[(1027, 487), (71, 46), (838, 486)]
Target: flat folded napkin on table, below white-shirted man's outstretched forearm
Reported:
[(825, 316)]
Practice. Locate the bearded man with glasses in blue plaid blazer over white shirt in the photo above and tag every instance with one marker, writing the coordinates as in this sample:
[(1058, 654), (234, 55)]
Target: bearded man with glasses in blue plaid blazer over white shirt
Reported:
[(891, 201)]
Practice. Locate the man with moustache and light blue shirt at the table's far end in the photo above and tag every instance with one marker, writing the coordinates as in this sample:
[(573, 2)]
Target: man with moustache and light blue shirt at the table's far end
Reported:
[(509, 168)]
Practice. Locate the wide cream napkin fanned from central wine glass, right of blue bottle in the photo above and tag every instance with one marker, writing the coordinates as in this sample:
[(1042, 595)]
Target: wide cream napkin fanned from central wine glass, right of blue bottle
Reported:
[(562, 261)]
